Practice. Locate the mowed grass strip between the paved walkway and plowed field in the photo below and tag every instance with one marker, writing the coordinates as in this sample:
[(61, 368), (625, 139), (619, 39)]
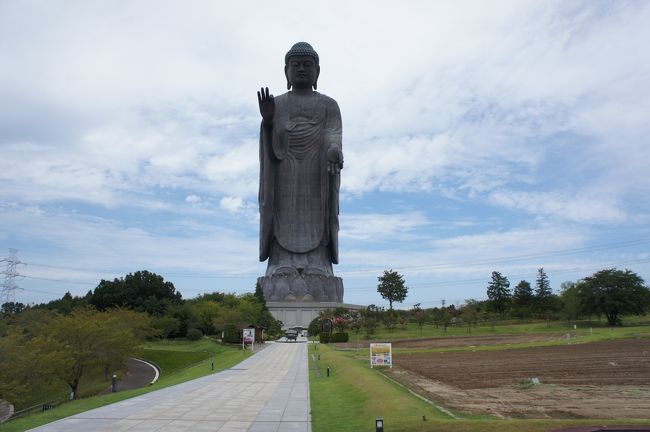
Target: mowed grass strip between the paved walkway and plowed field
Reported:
[(355, 395)]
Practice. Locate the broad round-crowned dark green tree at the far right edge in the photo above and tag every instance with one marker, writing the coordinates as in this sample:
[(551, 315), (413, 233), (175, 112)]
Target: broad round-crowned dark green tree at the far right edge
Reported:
[(614, 293)]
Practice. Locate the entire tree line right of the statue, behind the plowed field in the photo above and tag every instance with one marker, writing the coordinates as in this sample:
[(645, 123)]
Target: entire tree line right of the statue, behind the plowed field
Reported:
[(610, 293)]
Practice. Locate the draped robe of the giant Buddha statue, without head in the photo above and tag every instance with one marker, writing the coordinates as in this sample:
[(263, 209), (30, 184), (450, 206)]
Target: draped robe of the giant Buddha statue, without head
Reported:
[(298, 197)]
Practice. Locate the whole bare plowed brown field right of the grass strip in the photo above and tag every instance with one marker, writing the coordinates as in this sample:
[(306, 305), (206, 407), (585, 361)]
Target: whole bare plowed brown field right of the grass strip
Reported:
[(608, 379)]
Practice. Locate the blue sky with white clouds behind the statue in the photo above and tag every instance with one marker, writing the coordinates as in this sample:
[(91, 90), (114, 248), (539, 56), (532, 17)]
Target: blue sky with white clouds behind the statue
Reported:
[(478, 136)]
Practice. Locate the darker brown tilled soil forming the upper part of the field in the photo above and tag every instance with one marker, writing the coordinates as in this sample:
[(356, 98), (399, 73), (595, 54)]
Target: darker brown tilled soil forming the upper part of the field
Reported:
[(617, 362)]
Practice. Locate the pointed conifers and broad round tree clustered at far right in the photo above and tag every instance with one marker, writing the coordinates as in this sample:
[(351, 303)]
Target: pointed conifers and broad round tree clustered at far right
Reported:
[(608, 292)]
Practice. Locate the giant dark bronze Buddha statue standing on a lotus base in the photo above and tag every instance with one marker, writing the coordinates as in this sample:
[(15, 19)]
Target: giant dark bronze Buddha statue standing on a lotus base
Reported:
[(300, 164)]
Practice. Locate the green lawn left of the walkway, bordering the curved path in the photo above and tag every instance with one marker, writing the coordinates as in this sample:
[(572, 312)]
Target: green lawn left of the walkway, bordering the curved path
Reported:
[(178, 360)]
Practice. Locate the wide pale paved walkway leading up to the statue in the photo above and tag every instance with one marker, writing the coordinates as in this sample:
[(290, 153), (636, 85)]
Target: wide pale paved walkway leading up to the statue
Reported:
[(268, 392)]
